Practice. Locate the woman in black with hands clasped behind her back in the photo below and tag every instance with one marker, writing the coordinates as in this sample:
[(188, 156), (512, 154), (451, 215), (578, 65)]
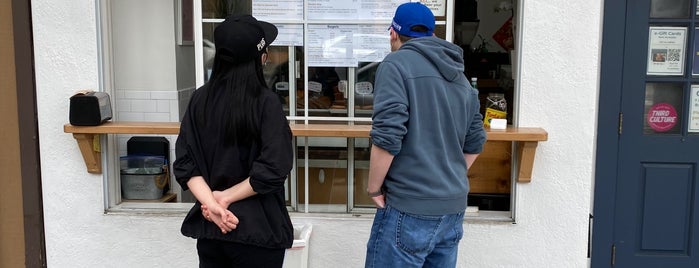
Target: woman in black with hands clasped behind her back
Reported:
[(234, 153)]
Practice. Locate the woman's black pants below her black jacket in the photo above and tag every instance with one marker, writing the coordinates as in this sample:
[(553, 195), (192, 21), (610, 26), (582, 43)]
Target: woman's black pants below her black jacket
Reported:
[(216, 253)]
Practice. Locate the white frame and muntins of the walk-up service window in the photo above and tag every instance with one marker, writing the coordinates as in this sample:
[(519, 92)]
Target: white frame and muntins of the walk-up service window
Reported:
[(113, 202)]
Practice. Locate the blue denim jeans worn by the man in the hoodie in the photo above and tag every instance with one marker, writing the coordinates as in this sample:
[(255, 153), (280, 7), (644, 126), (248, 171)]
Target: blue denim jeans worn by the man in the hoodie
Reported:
[(400, 239)]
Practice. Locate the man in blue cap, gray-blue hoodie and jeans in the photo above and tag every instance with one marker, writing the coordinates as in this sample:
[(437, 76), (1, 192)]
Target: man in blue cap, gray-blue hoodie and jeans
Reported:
[(426, 132)]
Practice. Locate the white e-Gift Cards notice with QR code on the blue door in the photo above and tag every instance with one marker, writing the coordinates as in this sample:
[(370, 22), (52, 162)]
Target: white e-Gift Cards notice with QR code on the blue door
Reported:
[(666, 50)]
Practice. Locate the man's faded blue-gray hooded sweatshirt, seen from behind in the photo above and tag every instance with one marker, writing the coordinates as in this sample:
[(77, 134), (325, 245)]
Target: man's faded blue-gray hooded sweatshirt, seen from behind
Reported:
[(427, 115)]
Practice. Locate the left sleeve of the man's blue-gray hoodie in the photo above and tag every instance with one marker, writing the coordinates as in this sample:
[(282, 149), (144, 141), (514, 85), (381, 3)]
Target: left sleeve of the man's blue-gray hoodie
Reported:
[(390, 109)]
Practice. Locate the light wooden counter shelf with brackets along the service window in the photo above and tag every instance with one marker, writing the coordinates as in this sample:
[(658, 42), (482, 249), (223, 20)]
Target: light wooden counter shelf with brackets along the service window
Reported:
[(87, 138)]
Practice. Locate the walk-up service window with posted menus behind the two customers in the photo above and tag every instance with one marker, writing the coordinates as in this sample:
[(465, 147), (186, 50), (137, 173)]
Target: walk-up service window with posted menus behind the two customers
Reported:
[(322, 66)]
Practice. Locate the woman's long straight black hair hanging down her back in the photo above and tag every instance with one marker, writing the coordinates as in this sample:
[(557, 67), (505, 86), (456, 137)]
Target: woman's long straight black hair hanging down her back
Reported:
[(242, 84)]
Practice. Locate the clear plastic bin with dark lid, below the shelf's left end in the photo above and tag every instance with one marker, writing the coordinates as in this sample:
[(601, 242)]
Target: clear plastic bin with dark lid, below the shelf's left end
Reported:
[(143, 177)]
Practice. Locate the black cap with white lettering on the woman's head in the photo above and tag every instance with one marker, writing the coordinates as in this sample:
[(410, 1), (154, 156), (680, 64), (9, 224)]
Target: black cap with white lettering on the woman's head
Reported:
[(243, 38)]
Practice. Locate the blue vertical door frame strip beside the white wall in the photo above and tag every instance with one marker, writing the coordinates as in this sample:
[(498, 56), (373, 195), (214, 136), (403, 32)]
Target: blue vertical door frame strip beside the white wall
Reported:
[(608, 120)]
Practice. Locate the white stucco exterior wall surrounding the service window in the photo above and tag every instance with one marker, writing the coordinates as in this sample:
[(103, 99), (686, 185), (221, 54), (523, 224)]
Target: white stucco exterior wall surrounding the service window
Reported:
[(559, 73)]
